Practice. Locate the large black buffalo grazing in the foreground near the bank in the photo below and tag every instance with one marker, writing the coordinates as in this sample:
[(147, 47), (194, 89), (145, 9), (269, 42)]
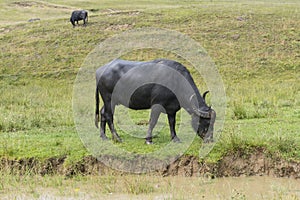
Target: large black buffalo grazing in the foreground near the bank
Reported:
[(157, 84)]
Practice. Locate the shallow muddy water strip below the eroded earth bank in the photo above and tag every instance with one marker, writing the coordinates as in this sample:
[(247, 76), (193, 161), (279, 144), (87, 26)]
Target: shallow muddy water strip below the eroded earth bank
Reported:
[(125, 187)]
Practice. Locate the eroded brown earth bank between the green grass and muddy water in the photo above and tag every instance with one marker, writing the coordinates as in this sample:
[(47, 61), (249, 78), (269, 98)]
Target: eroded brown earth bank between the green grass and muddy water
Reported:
[(233, 164)]
